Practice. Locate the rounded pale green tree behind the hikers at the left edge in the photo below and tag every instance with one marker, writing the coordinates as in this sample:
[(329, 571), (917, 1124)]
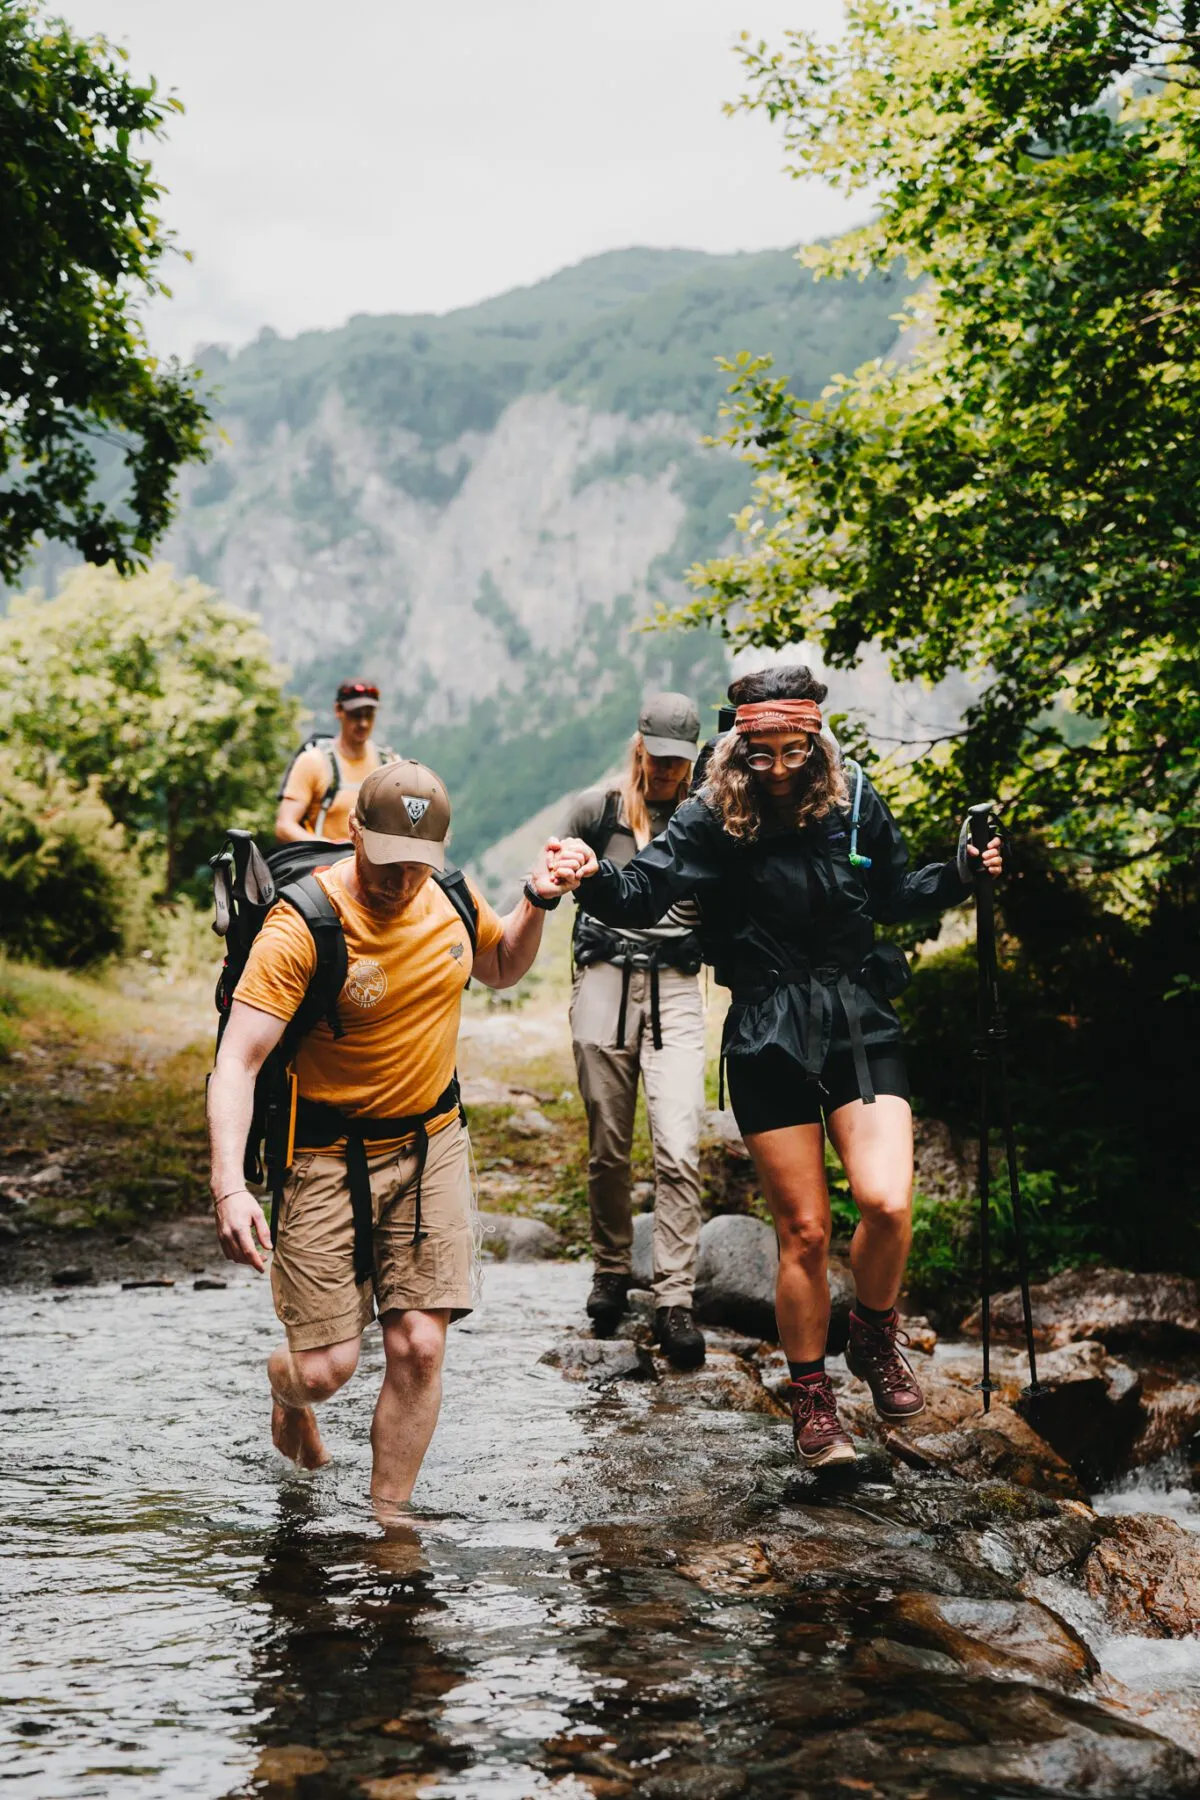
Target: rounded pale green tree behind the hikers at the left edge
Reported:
[(159, 694)]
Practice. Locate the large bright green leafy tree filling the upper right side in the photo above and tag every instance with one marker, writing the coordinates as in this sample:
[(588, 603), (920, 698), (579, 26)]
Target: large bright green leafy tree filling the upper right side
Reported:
[(1016, 494)]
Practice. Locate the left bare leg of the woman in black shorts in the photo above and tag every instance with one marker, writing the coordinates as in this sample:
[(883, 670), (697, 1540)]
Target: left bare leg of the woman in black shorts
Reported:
[(793, 1169)]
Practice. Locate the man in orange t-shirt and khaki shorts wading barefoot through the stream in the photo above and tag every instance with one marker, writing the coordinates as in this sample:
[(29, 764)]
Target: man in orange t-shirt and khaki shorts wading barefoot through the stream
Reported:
[(382, 1092)]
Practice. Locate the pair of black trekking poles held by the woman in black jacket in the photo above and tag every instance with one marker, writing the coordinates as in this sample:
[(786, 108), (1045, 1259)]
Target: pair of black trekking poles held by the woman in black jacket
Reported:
[(992, 1054)]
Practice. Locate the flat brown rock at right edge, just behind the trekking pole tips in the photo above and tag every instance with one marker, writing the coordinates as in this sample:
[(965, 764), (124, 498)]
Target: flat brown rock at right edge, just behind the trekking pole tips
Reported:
[(1120, 1309)]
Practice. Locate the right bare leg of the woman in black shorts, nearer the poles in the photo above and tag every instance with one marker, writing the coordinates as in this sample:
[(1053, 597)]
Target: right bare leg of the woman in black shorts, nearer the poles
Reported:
[(875, 1146)]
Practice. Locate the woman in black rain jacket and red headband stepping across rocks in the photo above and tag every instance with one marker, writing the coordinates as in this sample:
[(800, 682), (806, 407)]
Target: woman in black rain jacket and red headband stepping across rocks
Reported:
[(794, 859)]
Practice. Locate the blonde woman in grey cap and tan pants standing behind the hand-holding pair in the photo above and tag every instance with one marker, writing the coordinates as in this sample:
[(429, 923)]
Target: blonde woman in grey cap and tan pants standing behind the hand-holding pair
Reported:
[(636, 1011)]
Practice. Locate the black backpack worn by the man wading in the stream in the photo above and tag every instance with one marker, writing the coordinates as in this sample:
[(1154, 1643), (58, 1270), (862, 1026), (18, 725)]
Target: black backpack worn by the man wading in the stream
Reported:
[(246, 886)]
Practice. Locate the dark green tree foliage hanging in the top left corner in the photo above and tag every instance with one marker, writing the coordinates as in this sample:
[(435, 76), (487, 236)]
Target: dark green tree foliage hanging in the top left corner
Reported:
[(80, 251)]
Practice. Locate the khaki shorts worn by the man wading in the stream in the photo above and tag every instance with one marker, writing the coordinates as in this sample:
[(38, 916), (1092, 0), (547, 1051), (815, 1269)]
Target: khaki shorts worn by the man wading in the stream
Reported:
[(314, 1266)]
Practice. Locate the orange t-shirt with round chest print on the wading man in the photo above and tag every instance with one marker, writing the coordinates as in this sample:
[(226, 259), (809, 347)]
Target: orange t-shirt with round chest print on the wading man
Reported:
[(399, 1009)]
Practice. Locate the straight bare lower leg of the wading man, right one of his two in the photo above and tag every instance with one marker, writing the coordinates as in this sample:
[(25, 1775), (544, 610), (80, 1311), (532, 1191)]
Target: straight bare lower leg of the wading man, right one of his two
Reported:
[(406, 1416)]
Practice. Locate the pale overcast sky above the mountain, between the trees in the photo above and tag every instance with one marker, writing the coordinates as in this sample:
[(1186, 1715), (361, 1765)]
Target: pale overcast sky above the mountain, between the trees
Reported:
[(377, 156)]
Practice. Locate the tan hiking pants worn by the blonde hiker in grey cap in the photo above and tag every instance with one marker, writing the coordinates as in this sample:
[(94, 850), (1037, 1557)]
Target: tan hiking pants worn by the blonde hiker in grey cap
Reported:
[(674, 1079)]
